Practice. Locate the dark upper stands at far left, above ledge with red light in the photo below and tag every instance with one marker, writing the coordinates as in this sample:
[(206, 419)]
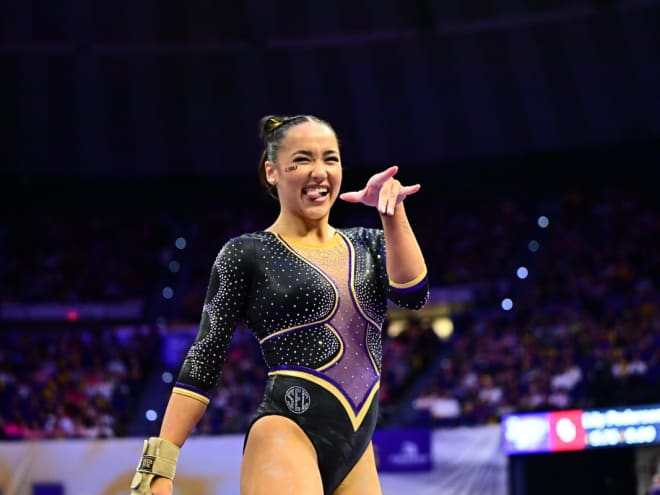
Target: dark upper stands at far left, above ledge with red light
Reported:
[(80, 257)]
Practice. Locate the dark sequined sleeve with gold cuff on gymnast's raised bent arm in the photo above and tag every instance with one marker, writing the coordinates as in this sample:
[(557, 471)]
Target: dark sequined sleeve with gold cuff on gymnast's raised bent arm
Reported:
[(411, 295)]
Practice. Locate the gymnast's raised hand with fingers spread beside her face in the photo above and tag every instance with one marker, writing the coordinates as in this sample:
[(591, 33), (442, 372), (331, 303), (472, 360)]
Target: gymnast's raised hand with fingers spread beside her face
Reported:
[(383, 191)]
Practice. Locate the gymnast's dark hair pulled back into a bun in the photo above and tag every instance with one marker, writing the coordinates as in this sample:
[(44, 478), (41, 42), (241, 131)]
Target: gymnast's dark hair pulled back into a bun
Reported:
[(272, 131)]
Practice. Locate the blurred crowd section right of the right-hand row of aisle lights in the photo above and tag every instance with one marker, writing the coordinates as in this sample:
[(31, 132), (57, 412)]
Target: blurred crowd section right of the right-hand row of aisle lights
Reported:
[(585, 331)]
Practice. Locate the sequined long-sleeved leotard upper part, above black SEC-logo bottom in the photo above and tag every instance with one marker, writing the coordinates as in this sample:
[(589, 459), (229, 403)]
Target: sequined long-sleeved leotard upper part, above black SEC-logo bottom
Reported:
[(317, 312)]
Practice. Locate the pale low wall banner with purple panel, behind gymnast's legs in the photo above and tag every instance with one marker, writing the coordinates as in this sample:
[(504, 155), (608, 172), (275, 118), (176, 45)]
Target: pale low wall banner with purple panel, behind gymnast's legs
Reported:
[(460, 461)]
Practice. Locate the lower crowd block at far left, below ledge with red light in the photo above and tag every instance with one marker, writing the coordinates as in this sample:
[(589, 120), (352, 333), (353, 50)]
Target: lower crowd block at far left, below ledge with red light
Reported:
[(79, 382)]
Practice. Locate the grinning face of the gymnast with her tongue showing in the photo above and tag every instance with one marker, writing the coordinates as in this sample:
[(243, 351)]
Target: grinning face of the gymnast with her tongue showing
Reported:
[(307, 171)]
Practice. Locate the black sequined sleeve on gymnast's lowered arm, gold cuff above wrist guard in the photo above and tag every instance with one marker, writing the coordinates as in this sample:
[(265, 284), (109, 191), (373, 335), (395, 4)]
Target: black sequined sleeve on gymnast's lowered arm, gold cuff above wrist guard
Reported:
[(224, 307)]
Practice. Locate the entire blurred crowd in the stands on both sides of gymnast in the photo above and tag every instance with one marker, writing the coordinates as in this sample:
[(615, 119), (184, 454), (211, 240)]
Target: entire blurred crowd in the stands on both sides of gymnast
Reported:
[(584, 329)]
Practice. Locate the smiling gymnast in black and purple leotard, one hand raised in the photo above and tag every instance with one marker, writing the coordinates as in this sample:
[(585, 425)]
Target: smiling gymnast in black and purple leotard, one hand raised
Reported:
[(315, 297)]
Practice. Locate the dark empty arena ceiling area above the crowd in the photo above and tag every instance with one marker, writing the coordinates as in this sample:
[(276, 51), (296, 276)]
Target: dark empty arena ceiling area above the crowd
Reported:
[(469, 95)]
